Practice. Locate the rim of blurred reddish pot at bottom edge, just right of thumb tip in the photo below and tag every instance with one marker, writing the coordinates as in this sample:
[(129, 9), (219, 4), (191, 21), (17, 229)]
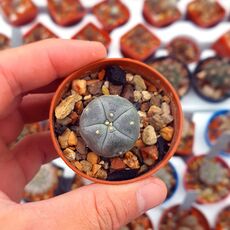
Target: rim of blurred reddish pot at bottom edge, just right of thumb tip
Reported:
[(195, 212)]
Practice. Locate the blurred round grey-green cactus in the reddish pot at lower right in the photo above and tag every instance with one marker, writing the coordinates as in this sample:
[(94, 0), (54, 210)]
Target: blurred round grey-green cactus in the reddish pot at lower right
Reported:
[(211, 173)]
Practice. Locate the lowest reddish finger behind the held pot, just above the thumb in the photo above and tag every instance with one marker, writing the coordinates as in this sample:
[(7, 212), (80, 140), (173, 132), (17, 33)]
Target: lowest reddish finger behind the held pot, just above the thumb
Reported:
[(27, 157)]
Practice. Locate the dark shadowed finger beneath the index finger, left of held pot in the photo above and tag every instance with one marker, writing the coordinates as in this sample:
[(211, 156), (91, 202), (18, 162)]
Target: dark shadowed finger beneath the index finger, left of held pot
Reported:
[(35, 107)]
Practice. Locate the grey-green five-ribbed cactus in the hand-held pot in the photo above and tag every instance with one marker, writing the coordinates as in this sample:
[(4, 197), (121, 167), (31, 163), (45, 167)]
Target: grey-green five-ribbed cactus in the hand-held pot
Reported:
[(110, 125)]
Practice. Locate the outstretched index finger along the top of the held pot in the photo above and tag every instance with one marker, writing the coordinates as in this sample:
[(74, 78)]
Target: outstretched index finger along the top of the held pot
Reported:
[(36, 65)]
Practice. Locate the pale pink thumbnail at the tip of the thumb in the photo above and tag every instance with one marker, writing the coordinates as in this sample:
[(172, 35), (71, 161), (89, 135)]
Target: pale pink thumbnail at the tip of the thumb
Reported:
[(150, 194)]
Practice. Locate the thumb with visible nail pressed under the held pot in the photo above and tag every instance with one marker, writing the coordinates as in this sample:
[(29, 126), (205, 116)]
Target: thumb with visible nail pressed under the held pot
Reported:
[(96, 206)]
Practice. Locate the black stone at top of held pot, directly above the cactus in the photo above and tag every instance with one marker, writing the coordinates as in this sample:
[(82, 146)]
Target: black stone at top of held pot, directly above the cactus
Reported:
[(115, 75)]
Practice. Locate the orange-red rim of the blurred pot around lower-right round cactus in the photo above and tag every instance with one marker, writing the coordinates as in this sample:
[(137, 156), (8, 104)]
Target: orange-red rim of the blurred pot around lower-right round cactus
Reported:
[(200, 200)]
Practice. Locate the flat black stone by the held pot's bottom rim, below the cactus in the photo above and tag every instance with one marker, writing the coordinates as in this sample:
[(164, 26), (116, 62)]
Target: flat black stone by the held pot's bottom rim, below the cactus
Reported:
[(122, 175)]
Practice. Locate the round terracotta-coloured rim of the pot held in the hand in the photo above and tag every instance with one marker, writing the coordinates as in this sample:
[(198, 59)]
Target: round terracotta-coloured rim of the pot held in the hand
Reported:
[(151, 76)]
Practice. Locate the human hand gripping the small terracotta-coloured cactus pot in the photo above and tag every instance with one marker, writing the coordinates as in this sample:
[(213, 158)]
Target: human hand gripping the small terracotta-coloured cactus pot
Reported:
[(28, 75)]
